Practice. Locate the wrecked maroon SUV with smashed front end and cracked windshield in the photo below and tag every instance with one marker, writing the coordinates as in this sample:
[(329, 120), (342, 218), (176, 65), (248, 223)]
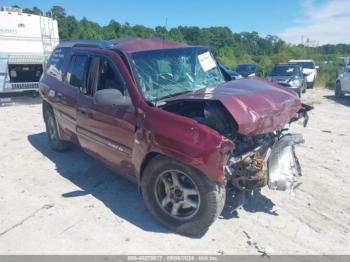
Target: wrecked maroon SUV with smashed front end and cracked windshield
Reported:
[(163, 115)]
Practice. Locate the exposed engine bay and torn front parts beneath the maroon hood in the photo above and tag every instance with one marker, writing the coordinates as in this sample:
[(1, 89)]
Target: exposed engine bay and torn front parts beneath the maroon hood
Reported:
[(257, 161)]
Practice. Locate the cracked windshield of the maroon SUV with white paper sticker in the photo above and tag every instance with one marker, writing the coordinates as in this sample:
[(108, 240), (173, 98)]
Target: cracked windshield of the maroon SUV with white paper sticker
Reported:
[(168, 72)]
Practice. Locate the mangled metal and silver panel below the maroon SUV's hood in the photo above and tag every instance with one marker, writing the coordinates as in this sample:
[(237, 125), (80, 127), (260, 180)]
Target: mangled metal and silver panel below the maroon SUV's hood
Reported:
[(273, 163)]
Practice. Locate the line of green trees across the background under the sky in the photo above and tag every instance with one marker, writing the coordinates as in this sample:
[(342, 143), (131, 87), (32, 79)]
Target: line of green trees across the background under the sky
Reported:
[(229, 47)]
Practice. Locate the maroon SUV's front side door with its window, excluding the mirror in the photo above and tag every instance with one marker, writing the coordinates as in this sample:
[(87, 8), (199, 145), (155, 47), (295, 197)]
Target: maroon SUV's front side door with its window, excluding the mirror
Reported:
[(106, 131)]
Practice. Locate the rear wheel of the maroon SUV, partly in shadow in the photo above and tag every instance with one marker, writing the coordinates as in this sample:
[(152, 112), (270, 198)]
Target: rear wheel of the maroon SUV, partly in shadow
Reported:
[(52, 132)]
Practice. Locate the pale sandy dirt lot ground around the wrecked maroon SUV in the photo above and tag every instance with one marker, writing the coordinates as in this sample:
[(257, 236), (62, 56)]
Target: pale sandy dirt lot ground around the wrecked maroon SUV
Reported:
[(69, 203)]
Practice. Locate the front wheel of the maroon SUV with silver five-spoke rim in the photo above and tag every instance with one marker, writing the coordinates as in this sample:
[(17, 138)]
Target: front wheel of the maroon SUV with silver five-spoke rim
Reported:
[(180, 197)]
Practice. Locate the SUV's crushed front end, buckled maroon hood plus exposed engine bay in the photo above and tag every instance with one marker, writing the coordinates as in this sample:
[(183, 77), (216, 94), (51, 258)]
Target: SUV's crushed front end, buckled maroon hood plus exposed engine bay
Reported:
[(253, 115)]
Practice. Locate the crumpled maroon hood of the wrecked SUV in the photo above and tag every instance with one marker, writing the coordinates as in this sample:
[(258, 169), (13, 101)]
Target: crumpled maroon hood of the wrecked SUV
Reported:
[(258, 106)]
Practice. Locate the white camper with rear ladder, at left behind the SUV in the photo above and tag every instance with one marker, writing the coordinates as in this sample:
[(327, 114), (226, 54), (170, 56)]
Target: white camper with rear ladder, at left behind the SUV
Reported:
[(26, 41)]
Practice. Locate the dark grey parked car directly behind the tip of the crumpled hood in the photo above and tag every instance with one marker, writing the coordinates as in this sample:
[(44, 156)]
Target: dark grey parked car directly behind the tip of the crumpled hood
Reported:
[(290, 75)]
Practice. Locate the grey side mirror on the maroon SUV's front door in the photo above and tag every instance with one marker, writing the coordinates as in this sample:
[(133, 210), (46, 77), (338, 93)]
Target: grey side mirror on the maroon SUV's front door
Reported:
[(111, 97)]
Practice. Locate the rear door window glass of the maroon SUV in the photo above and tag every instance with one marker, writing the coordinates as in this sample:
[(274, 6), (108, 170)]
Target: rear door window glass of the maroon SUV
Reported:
[(77, 71)]
